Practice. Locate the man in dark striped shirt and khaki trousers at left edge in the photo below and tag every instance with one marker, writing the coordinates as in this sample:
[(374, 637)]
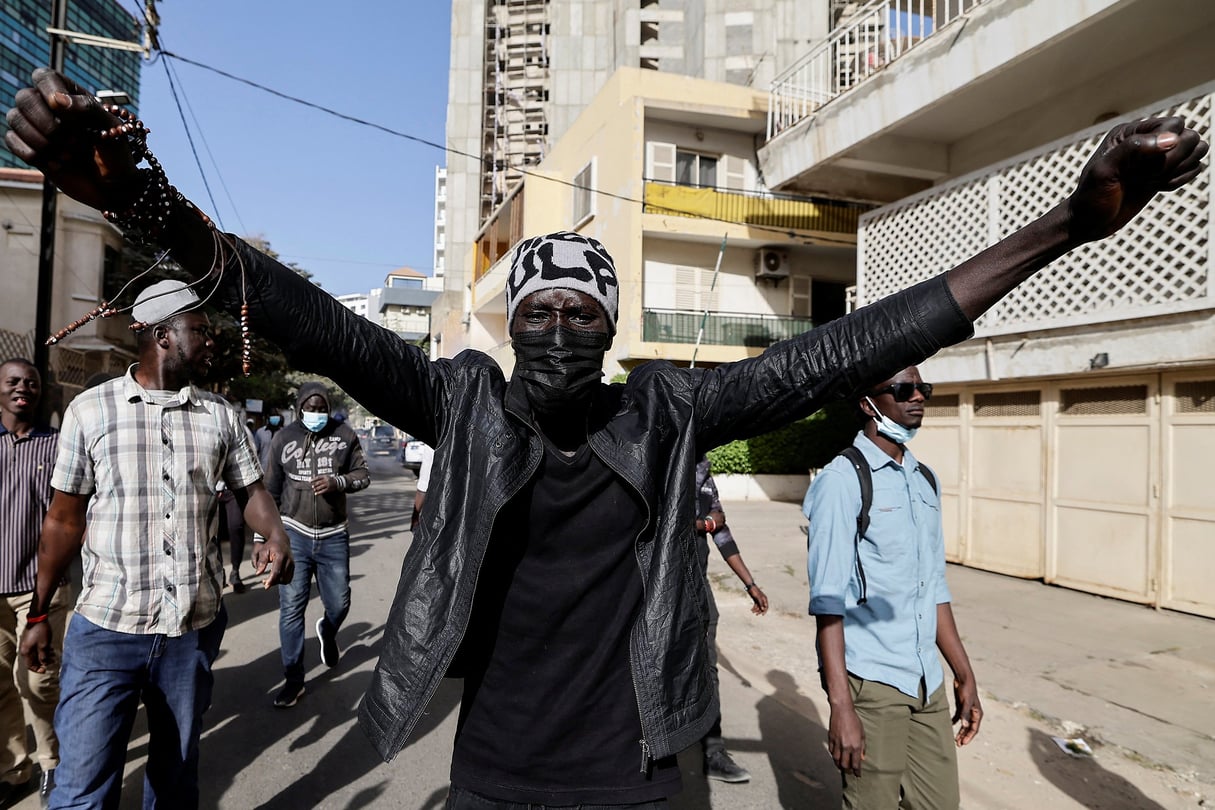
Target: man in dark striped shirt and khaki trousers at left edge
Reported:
[(27, 457)]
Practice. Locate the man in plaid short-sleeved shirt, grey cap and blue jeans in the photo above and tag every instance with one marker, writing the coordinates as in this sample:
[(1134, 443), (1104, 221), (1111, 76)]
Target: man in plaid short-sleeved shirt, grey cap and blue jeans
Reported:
[(139, 461)]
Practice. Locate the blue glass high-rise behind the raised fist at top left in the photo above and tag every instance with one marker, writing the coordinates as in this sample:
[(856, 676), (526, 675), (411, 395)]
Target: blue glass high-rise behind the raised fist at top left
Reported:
[(25, 46)]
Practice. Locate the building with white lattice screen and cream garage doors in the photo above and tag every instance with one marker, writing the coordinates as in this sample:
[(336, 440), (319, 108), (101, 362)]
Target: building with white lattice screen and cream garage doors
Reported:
[(1072, 433)]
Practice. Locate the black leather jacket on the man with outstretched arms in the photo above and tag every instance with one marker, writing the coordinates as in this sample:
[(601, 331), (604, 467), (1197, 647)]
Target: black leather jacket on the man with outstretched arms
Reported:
[(651, 432)]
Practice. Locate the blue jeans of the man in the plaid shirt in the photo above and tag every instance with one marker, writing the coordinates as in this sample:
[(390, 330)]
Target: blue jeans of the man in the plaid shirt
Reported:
[(104, 678)]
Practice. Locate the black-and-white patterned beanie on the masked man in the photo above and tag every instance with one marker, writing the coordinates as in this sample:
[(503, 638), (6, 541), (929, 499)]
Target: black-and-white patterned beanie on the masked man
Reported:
[(563, 260)]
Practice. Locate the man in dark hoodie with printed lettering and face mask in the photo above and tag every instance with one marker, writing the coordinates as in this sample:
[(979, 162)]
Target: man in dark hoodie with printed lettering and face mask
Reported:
[(314, 463)]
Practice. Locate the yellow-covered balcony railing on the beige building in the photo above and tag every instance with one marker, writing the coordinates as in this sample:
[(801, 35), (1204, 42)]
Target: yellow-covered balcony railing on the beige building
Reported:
[(784, 212)]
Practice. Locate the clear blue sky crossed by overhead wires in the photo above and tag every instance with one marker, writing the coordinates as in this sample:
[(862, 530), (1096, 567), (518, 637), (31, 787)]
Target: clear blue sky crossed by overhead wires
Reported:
[(343, 201)]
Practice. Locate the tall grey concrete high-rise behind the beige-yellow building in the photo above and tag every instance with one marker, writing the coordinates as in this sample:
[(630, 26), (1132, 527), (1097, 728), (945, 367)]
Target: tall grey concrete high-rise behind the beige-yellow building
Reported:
[(523, 71)]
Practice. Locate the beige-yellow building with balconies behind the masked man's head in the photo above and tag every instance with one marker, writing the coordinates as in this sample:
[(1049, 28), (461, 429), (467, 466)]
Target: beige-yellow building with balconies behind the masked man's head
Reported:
[(662, 169)]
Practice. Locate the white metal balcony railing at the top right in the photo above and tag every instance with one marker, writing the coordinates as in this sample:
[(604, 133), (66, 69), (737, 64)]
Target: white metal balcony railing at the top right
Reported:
[(873, 38)]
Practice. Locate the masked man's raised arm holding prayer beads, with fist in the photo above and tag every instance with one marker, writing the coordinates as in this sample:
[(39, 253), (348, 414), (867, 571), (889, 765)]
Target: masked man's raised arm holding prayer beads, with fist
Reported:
[(56, 127)]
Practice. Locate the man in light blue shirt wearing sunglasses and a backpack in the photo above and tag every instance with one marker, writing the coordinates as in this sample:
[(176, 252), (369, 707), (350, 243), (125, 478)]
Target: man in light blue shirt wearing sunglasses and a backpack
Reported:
[(884, 611)]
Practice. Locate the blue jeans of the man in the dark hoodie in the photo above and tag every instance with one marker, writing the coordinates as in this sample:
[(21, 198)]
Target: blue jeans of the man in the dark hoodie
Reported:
[(330, 560)]
